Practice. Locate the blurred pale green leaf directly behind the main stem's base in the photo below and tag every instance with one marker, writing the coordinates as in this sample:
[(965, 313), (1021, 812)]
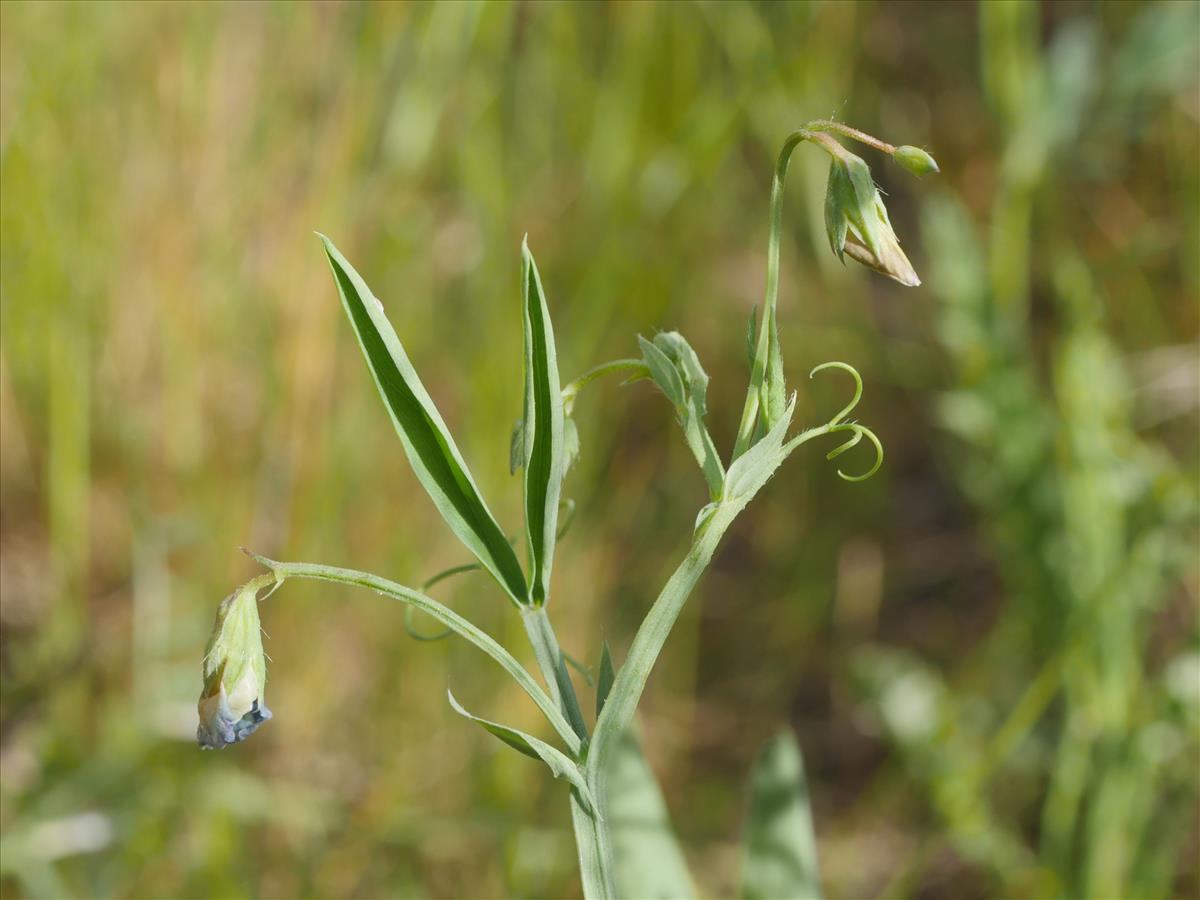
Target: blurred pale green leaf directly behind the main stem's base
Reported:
[(647, 857)]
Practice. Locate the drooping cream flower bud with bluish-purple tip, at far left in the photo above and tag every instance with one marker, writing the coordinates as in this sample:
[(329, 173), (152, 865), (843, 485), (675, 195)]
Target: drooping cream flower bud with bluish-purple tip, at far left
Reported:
[(235, 669)]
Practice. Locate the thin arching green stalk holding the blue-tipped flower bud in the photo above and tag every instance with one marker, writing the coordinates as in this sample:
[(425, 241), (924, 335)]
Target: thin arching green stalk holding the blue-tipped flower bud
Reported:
[(447, 617)]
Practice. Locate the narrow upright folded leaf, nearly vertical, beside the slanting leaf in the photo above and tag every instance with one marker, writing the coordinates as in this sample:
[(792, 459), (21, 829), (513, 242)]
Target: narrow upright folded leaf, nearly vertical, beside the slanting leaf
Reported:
[(543, 443)]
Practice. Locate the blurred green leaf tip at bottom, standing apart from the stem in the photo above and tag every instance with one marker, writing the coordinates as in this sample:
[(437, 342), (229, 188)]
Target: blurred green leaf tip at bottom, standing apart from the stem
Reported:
[(779, 849)]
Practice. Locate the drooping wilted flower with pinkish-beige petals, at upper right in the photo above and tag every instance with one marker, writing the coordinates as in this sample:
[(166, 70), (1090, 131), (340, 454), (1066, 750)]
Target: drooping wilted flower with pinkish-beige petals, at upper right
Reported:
[(857, 221)]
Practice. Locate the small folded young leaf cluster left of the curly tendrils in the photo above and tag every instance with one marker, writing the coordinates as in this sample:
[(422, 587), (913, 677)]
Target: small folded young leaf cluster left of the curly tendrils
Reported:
[(676, 369)]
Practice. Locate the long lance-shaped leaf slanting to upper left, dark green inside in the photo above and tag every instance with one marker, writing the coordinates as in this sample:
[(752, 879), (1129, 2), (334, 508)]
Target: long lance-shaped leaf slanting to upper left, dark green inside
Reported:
[(429, 446)]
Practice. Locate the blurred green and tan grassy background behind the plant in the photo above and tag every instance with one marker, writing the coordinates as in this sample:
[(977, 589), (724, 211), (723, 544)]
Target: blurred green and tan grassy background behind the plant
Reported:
[(989, 652)]
